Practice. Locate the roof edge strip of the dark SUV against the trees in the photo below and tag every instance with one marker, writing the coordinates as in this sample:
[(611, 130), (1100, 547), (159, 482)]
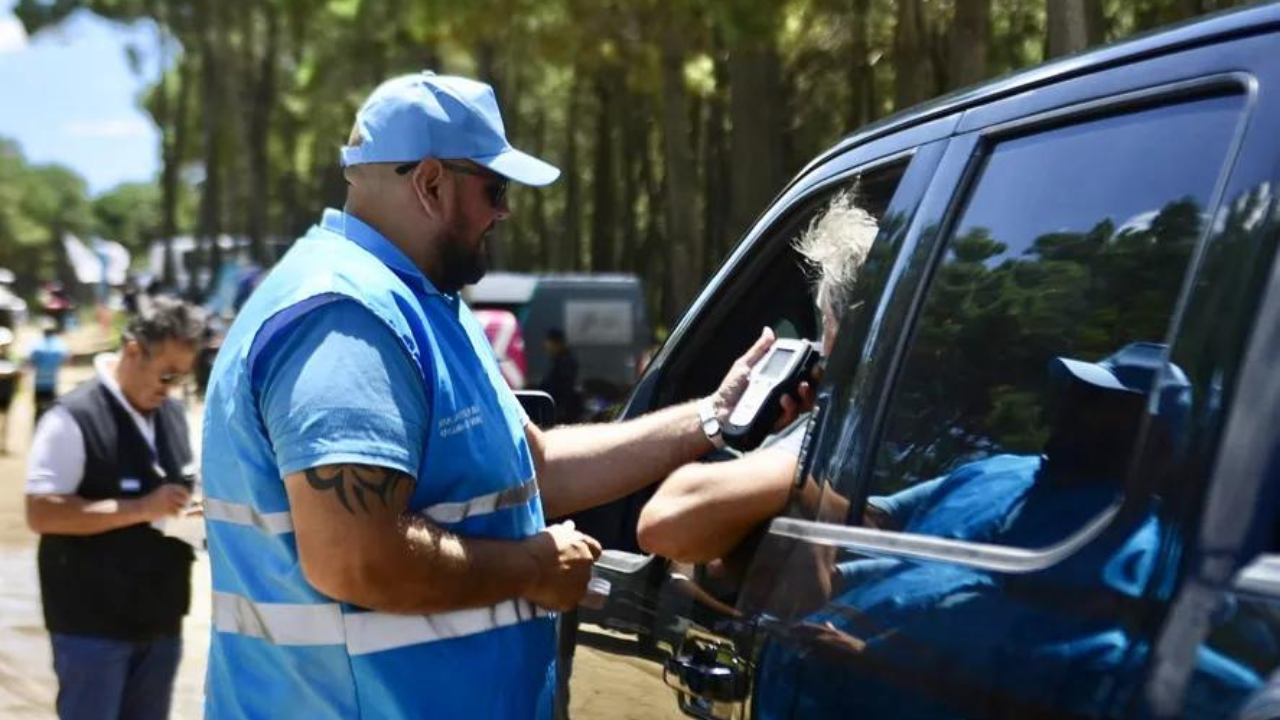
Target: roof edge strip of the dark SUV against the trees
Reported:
[(1200, 31)]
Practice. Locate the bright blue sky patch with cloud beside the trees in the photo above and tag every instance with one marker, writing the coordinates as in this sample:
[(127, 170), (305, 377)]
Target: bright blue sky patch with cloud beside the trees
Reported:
[(70, 97)]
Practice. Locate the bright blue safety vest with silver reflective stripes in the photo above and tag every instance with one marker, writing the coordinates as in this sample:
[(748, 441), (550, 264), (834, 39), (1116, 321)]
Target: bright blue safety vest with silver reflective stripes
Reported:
[(280, 648)]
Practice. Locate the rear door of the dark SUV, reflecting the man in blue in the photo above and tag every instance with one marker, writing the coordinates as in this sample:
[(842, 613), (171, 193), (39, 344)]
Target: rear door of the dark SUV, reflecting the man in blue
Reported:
[(998, 508)]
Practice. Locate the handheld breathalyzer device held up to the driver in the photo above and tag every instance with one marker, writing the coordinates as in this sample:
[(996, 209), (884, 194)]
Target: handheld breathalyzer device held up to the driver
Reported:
[(780, 372)]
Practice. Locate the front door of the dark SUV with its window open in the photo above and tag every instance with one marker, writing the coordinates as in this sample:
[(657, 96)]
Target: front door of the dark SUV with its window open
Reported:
[(620, 650)]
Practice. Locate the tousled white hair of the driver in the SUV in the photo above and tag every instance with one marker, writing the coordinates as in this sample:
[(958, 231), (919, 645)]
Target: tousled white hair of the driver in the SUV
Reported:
[(835, 245)]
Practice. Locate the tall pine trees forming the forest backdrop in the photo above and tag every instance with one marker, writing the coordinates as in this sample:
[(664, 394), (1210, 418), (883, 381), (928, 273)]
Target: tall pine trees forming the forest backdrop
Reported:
[(676, 121)]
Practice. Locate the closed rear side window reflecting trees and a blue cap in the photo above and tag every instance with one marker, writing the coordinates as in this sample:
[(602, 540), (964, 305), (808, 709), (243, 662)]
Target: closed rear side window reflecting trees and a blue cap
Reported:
[(1043, 330)]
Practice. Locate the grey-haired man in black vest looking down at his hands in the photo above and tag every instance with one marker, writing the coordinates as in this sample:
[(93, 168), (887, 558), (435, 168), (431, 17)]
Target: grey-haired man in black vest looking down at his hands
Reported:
[(109, 463)]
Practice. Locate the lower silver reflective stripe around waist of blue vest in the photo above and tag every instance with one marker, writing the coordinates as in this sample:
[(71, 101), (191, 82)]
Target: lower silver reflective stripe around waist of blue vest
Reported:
[(291, 625)]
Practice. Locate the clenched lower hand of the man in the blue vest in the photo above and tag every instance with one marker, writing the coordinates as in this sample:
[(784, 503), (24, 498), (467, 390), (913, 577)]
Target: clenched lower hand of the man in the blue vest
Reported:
[(565, 558)]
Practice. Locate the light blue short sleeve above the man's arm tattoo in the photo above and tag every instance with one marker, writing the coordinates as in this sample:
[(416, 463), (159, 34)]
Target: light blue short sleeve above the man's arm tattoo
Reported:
[(337, 388)]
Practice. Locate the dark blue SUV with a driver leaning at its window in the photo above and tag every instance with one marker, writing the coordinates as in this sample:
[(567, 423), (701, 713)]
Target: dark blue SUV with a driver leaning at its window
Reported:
[(1073, 557)]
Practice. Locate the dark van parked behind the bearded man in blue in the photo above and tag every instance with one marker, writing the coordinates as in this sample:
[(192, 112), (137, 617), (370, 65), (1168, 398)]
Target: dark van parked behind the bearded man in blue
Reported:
[(602, 316)]
